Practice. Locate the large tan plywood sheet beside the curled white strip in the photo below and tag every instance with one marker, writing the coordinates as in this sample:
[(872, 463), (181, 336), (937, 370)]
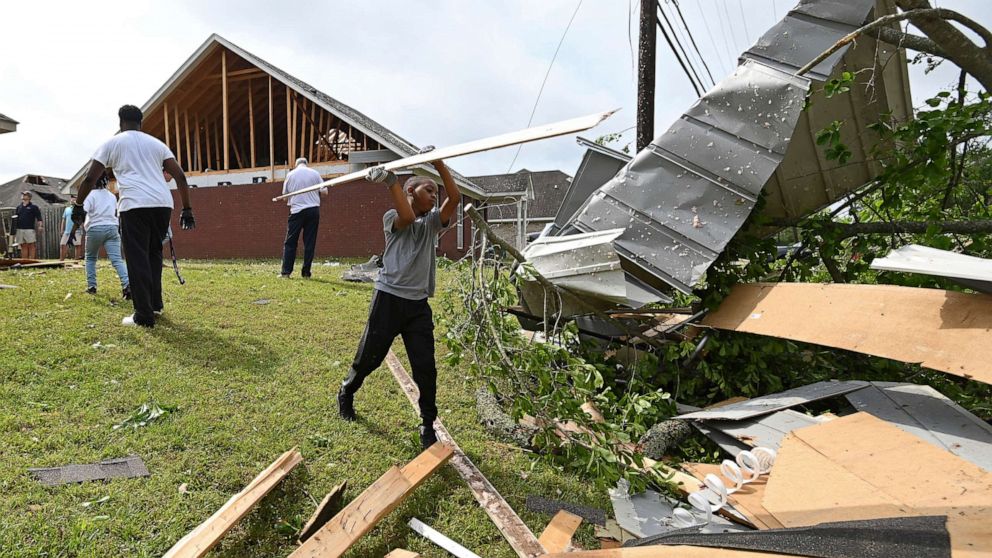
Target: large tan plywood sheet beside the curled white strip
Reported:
[(860, 467)]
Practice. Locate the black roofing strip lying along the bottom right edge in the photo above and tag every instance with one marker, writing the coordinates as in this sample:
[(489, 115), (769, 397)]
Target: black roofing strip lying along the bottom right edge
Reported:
[(898, 537)]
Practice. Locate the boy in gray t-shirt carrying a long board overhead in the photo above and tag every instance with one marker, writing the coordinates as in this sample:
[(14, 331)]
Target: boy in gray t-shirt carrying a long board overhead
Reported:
[(399, 302)]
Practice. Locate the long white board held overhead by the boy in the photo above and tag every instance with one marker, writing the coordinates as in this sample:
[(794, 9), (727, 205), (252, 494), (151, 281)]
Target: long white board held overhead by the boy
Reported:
[(555, 129)]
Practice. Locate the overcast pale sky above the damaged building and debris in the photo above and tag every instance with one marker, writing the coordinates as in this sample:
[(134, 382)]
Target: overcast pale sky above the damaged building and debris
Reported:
[(435, 72)]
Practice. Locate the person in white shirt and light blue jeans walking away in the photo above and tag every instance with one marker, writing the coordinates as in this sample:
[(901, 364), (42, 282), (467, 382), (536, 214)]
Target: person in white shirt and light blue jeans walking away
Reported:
[(102, 232)]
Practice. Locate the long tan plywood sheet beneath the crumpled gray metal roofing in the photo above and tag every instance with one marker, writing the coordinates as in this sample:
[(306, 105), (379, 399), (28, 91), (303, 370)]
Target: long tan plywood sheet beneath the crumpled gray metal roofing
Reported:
[(942, 330)]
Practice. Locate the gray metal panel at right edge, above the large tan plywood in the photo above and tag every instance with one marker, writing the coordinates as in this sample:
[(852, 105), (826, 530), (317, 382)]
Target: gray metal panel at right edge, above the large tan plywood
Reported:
[(927, 414)]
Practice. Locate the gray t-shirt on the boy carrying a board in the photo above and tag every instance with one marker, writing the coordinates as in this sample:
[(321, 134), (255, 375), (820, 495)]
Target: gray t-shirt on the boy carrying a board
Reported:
[(409, 261)]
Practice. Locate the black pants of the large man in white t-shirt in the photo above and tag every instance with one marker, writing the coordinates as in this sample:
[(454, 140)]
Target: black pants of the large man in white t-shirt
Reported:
[(142, 231)]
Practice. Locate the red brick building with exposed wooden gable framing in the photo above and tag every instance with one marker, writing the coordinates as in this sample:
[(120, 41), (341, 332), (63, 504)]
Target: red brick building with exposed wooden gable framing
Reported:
[(237, 123)]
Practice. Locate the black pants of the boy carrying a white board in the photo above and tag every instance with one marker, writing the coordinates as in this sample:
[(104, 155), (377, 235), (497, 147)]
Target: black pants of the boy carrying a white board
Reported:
[(389, 316)]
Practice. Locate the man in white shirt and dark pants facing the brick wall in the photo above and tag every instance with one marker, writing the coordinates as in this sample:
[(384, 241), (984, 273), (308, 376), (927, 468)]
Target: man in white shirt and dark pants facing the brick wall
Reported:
[(304, 216)]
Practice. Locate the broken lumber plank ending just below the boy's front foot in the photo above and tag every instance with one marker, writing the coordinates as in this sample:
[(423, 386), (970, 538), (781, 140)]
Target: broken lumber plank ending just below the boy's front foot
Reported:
[(377, 501)]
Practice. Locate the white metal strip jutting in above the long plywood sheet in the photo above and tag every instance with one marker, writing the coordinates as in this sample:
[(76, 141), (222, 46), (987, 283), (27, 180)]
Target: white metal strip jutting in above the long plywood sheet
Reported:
[(972, 272)]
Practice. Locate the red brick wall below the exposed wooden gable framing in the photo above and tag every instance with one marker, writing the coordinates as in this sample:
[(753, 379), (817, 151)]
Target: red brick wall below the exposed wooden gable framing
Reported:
[(244, 222)]
